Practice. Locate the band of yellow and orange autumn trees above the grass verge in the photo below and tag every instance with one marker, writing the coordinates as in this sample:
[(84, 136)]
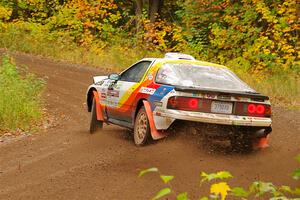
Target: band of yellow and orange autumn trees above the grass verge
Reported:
[(257, 36)]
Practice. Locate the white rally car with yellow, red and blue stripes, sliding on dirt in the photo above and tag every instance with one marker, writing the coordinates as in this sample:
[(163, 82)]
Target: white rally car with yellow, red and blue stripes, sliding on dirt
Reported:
[(155, 93)]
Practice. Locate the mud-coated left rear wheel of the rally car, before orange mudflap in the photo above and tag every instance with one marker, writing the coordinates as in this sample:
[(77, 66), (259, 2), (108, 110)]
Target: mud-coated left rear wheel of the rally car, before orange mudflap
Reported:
[(141, 128)]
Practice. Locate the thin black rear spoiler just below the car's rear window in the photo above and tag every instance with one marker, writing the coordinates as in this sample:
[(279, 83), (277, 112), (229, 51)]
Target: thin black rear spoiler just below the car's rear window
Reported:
[(252, 95)]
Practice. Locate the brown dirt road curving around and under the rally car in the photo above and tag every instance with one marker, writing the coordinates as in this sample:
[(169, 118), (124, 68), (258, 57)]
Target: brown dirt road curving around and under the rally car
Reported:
[(66, 162)]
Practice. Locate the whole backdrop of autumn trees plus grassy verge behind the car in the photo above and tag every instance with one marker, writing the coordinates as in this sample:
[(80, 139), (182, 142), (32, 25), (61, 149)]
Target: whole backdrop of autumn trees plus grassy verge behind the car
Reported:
[(258, 39)]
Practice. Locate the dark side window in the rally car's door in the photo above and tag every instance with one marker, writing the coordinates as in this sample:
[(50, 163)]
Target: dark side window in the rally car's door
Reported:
[(136, 72)]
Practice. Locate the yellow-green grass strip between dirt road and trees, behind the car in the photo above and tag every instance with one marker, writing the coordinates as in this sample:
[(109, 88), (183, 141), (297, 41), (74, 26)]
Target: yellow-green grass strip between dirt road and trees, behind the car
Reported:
[(283, 88)]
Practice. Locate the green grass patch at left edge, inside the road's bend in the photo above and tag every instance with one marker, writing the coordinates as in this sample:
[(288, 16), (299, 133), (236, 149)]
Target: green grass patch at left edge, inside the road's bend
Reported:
[(20, 102)]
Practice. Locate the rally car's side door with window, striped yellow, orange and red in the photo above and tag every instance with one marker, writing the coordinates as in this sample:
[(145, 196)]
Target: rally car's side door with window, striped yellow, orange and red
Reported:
[(121, 94)]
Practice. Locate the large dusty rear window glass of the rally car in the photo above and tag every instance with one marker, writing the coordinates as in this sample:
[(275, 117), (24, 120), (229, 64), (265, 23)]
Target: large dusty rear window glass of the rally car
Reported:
[(202, 77)]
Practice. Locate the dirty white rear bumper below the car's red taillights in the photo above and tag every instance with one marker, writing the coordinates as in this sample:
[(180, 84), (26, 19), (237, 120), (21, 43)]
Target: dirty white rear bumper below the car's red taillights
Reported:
[(217, 118)]
